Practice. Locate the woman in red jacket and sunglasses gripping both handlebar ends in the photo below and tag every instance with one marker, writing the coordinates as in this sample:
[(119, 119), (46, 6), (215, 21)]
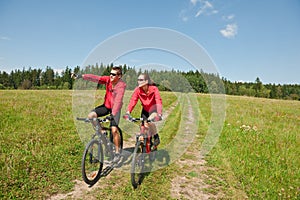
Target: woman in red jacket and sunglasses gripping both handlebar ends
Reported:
[(151, 101)]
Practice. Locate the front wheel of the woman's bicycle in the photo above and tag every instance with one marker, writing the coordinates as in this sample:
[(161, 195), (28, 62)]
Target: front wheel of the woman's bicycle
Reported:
[(137, 165)]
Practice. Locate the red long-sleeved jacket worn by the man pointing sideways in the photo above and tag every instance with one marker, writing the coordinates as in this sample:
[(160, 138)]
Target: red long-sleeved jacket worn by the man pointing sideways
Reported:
[(114, 95)]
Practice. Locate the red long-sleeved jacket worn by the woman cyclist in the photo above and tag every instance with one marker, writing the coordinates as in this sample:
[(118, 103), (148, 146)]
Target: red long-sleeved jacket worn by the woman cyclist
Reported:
[(151, 102)]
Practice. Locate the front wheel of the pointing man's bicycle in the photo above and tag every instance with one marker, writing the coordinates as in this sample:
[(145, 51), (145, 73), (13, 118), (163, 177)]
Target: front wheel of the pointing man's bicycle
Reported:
[(92, 162)]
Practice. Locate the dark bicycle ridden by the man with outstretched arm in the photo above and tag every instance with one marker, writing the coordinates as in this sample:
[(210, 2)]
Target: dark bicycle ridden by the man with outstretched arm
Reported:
[(99, 152)]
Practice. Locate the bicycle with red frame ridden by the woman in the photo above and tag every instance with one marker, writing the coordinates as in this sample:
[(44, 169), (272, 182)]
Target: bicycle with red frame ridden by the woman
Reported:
[(143, 147)]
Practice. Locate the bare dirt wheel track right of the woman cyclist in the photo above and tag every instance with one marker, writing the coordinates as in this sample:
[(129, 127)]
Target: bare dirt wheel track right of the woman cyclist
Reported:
[(190, 182)]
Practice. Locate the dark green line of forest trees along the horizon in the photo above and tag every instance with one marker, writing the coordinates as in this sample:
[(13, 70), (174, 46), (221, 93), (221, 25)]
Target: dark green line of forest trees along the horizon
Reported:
[(174, 80)]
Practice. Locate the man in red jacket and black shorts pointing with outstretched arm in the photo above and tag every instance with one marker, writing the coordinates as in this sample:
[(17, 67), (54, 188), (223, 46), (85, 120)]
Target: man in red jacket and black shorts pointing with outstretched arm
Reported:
[(113, 101)]
